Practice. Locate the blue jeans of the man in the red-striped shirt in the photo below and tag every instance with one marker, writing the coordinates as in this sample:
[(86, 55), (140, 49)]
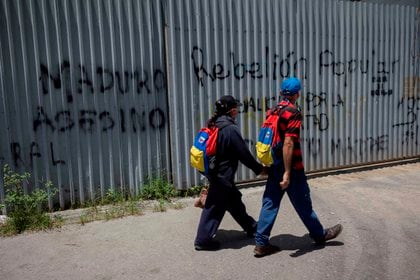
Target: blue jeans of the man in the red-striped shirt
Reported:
[(299, 195)]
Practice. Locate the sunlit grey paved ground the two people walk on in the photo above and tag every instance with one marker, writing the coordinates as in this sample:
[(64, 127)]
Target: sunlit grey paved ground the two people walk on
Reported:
[(379, 210)]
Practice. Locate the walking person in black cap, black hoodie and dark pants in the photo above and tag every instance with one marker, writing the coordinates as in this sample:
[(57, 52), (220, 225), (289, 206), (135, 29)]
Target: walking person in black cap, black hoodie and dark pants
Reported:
[(223, 195)]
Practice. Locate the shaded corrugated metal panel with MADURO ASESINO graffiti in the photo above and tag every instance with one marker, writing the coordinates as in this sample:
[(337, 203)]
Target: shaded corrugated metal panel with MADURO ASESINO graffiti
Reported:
[(83, 94)]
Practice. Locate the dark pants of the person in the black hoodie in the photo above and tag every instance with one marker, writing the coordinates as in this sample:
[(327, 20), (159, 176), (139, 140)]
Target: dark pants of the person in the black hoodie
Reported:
[(222, 198)]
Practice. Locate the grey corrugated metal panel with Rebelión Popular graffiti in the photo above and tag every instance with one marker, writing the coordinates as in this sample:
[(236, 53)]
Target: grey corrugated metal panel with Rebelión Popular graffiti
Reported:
[(358, 63)]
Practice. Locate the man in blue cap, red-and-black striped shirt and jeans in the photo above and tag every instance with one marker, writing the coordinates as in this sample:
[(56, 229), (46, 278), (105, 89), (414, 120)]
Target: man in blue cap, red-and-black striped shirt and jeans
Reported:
[(288, 176)]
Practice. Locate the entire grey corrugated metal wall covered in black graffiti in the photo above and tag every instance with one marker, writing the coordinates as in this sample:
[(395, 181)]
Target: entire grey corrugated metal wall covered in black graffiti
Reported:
[(101, 94)]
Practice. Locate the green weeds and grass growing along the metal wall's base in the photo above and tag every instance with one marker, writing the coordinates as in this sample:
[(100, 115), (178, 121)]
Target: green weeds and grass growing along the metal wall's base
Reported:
[(30, 212)]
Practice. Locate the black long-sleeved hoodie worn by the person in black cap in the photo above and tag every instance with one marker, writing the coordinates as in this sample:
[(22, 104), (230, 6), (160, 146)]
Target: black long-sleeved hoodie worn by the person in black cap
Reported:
[(231, 148)]
